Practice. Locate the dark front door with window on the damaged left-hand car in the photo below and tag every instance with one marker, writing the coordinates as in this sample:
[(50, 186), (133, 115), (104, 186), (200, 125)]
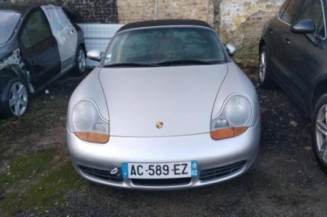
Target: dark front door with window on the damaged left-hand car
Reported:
[(39, 48)]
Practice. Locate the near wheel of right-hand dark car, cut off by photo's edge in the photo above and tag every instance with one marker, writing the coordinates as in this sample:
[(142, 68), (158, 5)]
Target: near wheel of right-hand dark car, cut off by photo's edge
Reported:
[(319, 132)]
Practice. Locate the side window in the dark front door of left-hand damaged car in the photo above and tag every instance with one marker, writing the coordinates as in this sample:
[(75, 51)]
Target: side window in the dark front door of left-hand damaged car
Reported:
[(37, 28)]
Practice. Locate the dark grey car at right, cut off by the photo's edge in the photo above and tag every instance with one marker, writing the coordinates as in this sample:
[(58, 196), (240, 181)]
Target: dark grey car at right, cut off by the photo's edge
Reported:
[(293, 54)]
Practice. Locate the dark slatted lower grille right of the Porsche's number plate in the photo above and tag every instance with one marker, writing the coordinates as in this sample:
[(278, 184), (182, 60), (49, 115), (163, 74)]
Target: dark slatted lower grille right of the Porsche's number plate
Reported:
[(219, 172)]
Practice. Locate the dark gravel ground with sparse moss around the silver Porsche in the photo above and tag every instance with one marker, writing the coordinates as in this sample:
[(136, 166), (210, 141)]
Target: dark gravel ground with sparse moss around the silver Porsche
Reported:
[(284, 181)]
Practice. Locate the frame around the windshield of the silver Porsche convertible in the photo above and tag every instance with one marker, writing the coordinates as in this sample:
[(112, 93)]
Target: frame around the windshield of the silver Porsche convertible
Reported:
[(227, 58)]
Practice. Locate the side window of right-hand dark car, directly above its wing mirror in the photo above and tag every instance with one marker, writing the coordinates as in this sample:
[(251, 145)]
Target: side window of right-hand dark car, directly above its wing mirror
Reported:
[(313, 10)]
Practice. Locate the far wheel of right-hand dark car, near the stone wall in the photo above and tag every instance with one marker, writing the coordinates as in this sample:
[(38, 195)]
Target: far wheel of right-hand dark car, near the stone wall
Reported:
[(264, 71)]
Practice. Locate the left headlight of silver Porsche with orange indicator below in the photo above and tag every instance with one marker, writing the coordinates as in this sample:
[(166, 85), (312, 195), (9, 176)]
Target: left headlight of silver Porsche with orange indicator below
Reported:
[(88, 125)]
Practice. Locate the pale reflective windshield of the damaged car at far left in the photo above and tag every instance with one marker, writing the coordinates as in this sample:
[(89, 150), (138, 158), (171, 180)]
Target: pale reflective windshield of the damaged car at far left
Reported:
[(8, 23)]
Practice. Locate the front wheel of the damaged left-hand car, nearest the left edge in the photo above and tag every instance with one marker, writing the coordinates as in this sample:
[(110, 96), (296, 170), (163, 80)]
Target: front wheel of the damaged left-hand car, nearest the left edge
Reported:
[(14, 98)]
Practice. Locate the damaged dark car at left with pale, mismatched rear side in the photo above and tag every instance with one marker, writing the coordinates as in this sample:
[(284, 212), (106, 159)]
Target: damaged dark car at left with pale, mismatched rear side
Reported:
[(38, 44)]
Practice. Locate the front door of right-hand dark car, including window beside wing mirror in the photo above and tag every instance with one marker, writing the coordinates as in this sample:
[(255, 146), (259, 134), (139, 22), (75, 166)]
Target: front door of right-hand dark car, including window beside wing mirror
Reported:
[(305, 63)]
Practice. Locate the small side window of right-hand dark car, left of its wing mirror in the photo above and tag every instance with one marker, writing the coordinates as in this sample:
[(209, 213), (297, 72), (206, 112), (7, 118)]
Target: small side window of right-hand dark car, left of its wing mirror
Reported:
[(290, 14)]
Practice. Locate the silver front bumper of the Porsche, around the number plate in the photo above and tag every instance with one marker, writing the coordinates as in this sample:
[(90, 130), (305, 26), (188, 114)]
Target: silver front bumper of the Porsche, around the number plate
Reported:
[(218, 161)]
